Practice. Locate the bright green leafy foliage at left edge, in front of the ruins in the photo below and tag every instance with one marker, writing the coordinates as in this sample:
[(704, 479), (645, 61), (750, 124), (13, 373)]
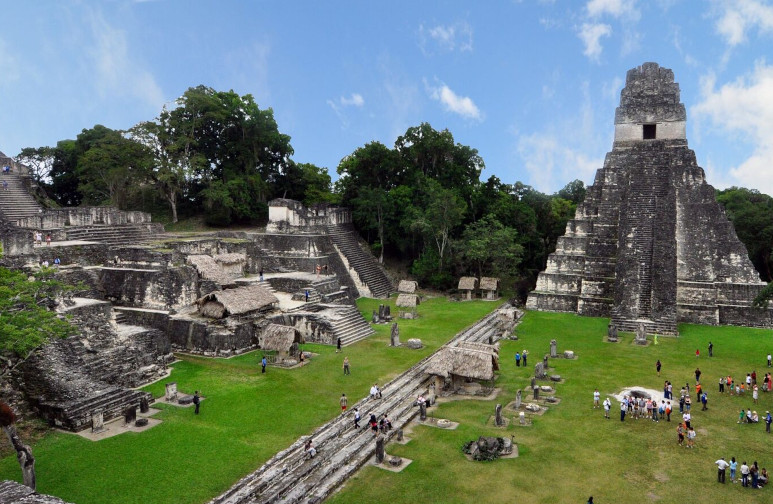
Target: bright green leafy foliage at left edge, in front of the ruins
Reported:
[(26, 321)]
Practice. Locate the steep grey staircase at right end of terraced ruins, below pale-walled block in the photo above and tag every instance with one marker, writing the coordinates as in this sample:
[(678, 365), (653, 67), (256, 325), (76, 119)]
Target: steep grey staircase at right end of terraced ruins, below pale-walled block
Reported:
[(344, 237)]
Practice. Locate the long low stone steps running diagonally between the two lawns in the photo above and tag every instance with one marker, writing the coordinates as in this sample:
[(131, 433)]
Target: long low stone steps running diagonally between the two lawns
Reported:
[(289, 477)]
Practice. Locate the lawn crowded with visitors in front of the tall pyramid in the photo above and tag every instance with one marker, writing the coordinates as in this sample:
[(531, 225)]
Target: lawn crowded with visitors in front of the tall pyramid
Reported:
[(572, 452)]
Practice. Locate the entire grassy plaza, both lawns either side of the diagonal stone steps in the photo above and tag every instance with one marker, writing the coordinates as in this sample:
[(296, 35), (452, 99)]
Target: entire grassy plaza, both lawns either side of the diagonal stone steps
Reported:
[(567, 454)]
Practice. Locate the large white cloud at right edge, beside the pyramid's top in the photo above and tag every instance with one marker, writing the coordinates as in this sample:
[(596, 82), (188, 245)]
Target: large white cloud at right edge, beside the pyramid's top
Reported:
[(744, 108)]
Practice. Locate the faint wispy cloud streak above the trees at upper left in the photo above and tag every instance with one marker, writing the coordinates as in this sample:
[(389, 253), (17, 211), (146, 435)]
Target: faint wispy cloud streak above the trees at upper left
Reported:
[(115, 71)]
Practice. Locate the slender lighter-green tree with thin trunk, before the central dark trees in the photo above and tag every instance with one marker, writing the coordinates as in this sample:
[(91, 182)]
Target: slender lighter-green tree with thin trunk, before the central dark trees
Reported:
[(443, 211)]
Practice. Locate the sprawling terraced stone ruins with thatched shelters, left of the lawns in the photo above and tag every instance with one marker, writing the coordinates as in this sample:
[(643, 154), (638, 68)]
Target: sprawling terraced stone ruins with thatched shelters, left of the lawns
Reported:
[(143, 294)]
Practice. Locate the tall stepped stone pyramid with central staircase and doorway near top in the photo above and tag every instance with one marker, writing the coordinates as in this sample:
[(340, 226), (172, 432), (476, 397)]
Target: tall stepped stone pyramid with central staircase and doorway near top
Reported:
[(649, 244)]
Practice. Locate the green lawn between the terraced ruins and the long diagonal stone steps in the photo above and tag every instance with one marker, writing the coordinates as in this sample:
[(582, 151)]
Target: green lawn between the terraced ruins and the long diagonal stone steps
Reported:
[(245, 419)]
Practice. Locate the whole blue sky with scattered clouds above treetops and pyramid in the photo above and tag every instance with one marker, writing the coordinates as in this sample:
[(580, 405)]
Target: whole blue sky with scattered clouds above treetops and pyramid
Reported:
[(531, 84)]
